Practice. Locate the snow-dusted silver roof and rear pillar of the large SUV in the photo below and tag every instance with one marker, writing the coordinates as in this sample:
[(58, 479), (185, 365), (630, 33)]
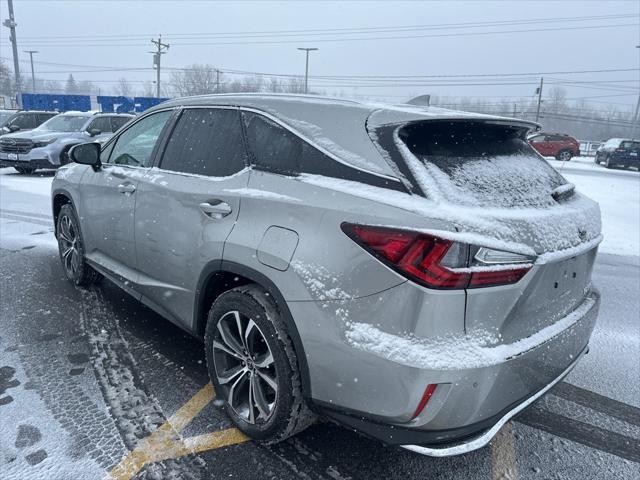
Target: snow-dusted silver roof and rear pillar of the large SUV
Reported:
[(337, 125)]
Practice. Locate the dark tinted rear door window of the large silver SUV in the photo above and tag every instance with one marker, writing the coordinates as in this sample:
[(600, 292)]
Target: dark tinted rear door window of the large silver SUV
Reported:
[(206, 142)]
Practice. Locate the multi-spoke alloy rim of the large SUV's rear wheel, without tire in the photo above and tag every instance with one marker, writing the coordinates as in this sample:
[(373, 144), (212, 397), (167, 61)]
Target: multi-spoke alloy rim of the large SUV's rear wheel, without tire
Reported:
[(245, 368)]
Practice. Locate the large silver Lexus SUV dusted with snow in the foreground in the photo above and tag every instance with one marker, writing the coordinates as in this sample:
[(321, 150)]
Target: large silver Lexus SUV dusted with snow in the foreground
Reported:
[(417, 274)]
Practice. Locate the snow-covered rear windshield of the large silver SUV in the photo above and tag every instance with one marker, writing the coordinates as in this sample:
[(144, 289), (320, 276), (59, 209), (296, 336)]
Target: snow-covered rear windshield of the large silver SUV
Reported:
[(476, 163)]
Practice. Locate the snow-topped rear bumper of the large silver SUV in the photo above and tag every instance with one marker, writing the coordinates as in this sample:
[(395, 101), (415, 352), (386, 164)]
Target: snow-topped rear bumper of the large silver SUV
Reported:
[(469, 405)]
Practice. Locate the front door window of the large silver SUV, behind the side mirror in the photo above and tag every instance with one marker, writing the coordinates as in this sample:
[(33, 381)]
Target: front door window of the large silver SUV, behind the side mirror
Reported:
[(135, 145)]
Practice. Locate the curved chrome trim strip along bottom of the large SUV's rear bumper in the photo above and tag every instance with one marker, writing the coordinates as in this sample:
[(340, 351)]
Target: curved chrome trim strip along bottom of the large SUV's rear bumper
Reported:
[(486, 437)]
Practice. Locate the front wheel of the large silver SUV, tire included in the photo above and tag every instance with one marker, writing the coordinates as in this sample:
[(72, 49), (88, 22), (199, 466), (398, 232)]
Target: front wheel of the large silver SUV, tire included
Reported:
[(71, 249)]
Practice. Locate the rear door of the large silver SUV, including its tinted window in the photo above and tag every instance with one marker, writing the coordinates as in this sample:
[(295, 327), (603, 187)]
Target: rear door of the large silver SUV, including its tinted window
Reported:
[(187, 207)]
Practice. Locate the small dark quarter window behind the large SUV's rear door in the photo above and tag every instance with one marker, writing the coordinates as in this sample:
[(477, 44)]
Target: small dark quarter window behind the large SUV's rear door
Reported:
[(273, 147)]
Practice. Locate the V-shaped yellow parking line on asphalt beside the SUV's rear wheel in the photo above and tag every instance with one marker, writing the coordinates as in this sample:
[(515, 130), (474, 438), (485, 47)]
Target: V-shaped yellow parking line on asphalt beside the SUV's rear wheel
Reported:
[(166, 441)]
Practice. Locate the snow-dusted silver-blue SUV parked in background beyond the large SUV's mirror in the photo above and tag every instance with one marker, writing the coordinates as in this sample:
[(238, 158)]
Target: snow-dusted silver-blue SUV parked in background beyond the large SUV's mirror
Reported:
[(48, 145)]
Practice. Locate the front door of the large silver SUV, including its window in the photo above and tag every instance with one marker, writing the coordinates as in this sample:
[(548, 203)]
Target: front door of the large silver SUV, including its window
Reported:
[(109, 197)]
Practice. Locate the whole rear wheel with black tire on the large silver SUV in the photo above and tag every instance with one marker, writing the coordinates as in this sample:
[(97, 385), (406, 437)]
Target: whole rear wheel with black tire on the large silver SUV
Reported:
[(288, 413)]
